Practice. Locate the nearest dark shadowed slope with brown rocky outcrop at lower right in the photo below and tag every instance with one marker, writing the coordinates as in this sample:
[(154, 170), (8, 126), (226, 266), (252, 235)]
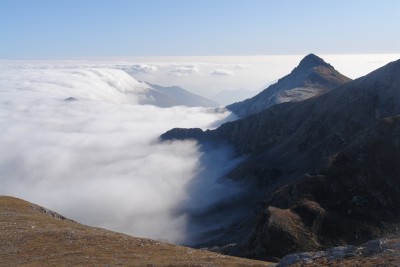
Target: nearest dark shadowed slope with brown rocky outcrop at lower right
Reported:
[(356, 198)]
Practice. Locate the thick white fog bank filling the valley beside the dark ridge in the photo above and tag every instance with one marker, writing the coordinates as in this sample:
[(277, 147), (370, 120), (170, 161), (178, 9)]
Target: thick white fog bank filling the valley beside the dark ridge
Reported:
[(84, 142)]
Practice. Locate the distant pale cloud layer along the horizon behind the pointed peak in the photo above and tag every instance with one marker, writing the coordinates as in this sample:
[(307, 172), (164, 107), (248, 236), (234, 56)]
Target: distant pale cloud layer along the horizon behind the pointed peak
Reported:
[(200, 74)]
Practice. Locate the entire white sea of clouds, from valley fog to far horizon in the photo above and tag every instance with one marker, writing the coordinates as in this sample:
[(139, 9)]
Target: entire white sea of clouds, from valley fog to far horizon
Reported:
[(78, 137)]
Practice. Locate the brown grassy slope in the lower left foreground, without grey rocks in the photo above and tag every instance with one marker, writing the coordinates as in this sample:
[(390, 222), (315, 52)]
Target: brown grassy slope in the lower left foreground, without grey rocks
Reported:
[(34, 236)]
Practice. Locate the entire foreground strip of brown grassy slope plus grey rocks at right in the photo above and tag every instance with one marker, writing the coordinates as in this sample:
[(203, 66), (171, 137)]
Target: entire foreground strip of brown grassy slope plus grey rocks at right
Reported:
[(35, 236)]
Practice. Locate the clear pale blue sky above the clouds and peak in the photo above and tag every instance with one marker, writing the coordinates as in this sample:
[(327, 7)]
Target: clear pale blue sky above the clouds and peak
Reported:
[(107, 28)]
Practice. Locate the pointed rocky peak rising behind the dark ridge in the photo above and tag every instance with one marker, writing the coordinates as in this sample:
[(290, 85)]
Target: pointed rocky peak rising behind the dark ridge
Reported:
[(312, 77)]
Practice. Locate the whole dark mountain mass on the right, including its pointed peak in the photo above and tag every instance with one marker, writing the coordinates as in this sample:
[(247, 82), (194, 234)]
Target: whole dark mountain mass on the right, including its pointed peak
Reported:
[(324, 171)]
